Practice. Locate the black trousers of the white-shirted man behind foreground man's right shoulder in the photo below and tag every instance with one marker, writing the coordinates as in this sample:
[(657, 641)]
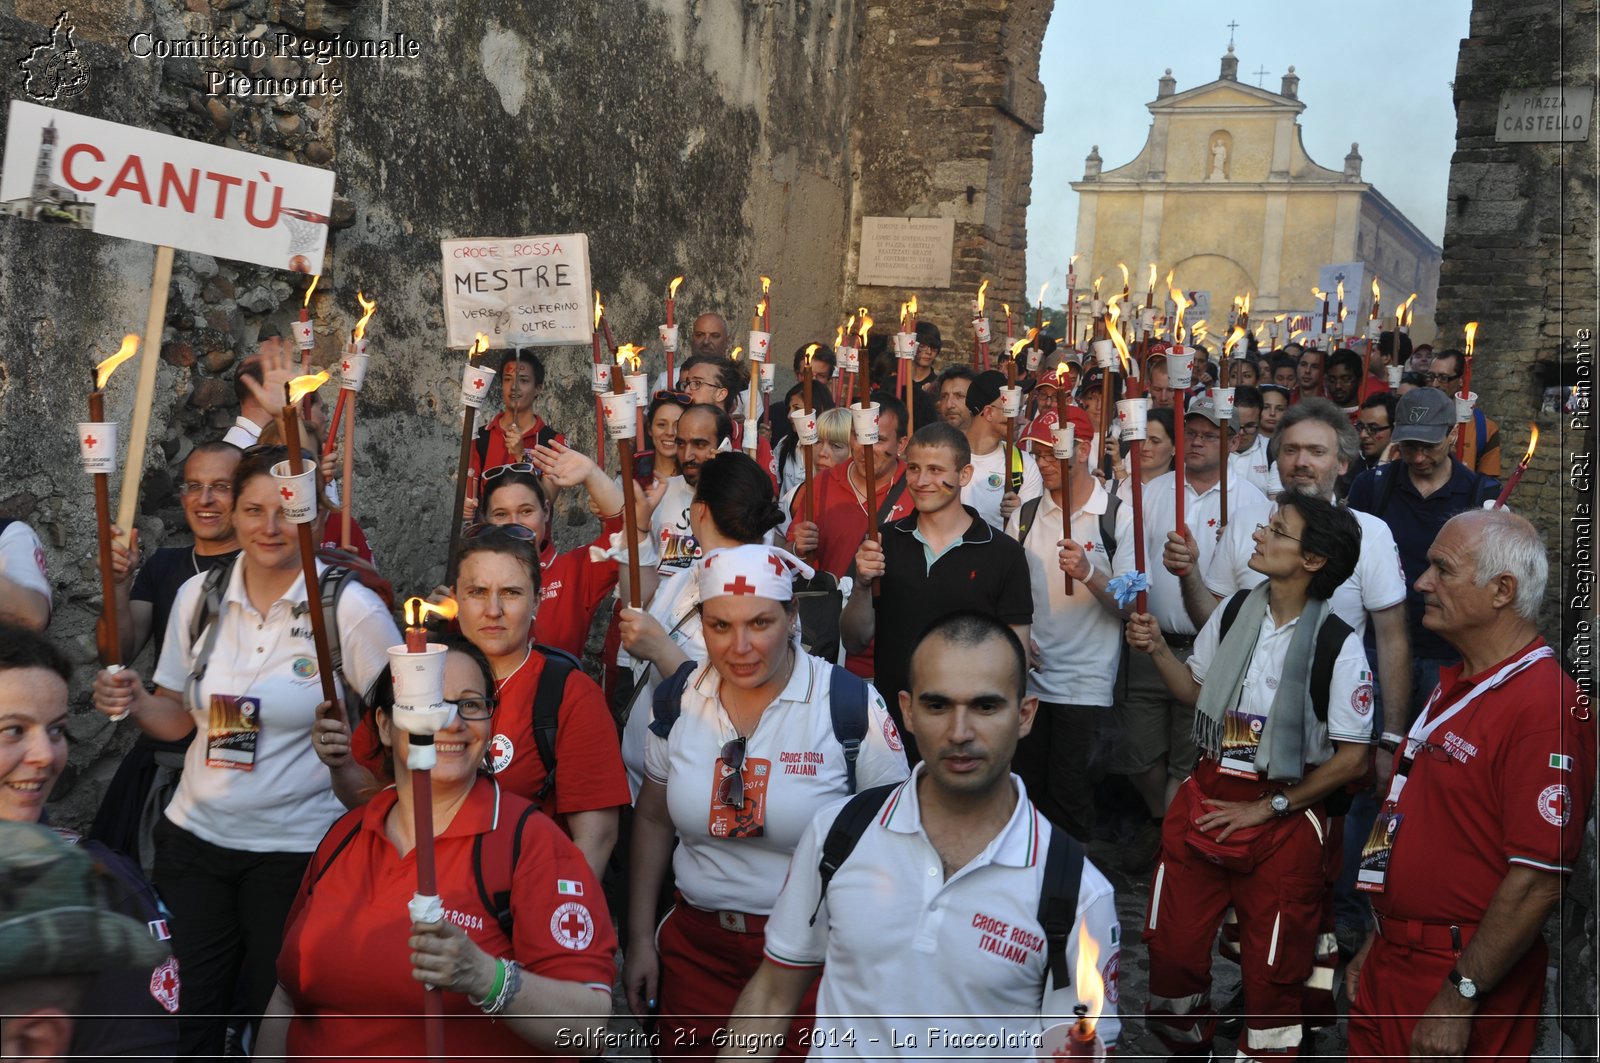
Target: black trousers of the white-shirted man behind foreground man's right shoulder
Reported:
[(1063, 760)]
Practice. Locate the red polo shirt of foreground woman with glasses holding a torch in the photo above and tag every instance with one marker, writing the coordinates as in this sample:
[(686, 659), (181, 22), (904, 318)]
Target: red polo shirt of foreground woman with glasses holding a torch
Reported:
[(346, 961)]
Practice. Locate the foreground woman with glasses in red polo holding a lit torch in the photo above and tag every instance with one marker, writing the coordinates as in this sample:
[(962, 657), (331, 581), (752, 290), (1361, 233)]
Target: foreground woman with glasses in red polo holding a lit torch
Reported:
[(526, 952)]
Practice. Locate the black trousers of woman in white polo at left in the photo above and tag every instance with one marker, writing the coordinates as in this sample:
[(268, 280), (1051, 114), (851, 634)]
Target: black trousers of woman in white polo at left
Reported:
[(228, 926)]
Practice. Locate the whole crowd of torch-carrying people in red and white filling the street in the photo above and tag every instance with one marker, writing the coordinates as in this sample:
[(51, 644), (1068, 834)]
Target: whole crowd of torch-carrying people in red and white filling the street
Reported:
[(886, 716)]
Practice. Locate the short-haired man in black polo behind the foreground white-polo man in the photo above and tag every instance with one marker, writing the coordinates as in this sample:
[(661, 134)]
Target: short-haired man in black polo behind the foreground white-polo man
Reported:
[(938, 561)]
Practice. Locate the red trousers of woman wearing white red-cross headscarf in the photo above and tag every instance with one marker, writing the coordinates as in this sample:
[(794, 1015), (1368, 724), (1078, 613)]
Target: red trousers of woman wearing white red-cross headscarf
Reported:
[(703, 973)]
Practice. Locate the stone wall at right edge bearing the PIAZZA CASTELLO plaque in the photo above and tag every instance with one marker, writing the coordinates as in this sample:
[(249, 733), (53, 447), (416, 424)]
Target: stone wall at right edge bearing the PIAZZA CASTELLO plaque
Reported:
[(1521, 260)]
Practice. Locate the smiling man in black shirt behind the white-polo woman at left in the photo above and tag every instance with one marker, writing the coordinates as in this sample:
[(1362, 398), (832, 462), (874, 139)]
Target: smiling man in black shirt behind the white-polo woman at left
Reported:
[(150, 774)]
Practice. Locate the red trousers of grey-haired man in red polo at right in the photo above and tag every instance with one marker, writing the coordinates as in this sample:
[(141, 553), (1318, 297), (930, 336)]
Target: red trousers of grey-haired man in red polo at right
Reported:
[(1399, 982)]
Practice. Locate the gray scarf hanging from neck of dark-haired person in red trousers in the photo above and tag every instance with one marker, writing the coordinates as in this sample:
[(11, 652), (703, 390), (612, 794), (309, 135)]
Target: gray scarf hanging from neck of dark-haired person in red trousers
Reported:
[(1282, 752)]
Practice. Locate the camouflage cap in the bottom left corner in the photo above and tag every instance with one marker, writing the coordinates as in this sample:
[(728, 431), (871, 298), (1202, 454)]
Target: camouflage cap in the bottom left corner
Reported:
[(57, 918)]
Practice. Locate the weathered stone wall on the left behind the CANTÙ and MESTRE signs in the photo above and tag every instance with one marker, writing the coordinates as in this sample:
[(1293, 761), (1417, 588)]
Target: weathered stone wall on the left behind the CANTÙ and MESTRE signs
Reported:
[(710, 138)]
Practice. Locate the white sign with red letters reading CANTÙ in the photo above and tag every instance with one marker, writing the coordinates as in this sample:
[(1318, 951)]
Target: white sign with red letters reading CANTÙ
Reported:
[(132, 183)]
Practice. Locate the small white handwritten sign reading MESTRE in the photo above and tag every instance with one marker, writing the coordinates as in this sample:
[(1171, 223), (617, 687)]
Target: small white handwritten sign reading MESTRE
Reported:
[(522, 292)]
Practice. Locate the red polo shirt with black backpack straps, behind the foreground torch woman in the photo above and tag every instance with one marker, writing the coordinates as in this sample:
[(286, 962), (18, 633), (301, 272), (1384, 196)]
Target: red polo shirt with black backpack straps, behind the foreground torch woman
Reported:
[(588, 758)]
